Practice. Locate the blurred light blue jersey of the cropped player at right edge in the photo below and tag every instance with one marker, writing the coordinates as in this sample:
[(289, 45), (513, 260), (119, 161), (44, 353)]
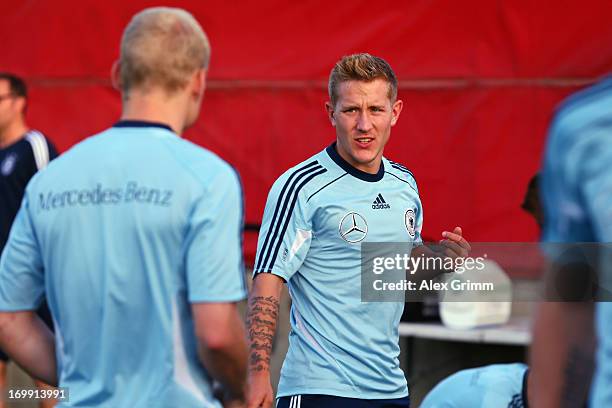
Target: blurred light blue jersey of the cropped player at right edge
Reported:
[(577, 196)]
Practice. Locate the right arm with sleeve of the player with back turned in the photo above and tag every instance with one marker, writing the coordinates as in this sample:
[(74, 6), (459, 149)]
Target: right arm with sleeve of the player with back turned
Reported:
[(216, 281)]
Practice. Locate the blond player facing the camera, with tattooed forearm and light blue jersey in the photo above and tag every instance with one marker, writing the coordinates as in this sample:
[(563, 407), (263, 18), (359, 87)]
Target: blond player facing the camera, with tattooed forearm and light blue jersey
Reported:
[(342, 352)]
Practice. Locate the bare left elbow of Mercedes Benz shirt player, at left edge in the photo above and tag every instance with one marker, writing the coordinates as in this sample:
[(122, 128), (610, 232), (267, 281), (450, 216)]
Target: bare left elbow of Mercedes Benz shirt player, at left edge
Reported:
[(30, 343)]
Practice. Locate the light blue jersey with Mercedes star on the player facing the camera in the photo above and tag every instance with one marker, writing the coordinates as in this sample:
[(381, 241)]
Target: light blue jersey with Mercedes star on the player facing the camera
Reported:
[(317, 216)]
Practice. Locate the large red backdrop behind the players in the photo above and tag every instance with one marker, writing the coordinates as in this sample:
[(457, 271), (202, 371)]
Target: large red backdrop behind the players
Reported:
[(480, 80)]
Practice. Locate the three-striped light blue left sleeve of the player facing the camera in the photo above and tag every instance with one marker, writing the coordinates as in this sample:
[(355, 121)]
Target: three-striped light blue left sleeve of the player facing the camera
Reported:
[(286, 232)]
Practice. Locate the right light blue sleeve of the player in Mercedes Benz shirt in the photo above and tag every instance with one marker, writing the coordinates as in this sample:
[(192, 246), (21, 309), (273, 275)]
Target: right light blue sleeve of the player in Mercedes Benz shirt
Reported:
[(215, 268)]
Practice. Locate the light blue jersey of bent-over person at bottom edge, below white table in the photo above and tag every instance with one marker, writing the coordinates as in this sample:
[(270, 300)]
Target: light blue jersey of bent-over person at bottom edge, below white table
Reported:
[(494, 386)]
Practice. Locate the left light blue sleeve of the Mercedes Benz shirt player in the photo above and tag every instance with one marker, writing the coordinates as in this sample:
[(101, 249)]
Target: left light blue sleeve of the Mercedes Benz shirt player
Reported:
[(22, 279)]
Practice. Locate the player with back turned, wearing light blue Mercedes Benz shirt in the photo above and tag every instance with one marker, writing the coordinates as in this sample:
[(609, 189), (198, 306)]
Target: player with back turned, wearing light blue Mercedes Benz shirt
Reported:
[(134, 237)]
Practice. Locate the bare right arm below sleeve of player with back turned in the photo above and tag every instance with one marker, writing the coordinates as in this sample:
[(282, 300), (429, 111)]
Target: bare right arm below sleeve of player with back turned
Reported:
[(222, 346)]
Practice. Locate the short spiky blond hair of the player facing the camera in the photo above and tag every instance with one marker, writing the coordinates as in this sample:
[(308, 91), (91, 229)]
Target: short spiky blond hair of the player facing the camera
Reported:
[(361, 67)]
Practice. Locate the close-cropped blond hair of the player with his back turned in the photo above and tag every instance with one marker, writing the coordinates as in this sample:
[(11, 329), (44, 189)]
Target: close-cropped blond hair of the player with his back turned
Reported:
[(162, 46)]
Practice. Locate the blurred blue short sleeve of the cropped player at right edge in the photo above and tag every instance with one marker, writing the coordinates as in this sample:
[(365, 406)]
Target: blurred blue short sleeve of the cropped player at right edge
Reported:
[(577, 197)]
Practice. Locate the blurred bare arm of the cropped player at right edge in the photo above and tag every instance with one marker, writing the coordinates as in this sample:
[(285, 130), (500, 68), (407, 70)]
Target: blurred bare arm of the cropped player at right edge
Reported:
[(561, 355)]
